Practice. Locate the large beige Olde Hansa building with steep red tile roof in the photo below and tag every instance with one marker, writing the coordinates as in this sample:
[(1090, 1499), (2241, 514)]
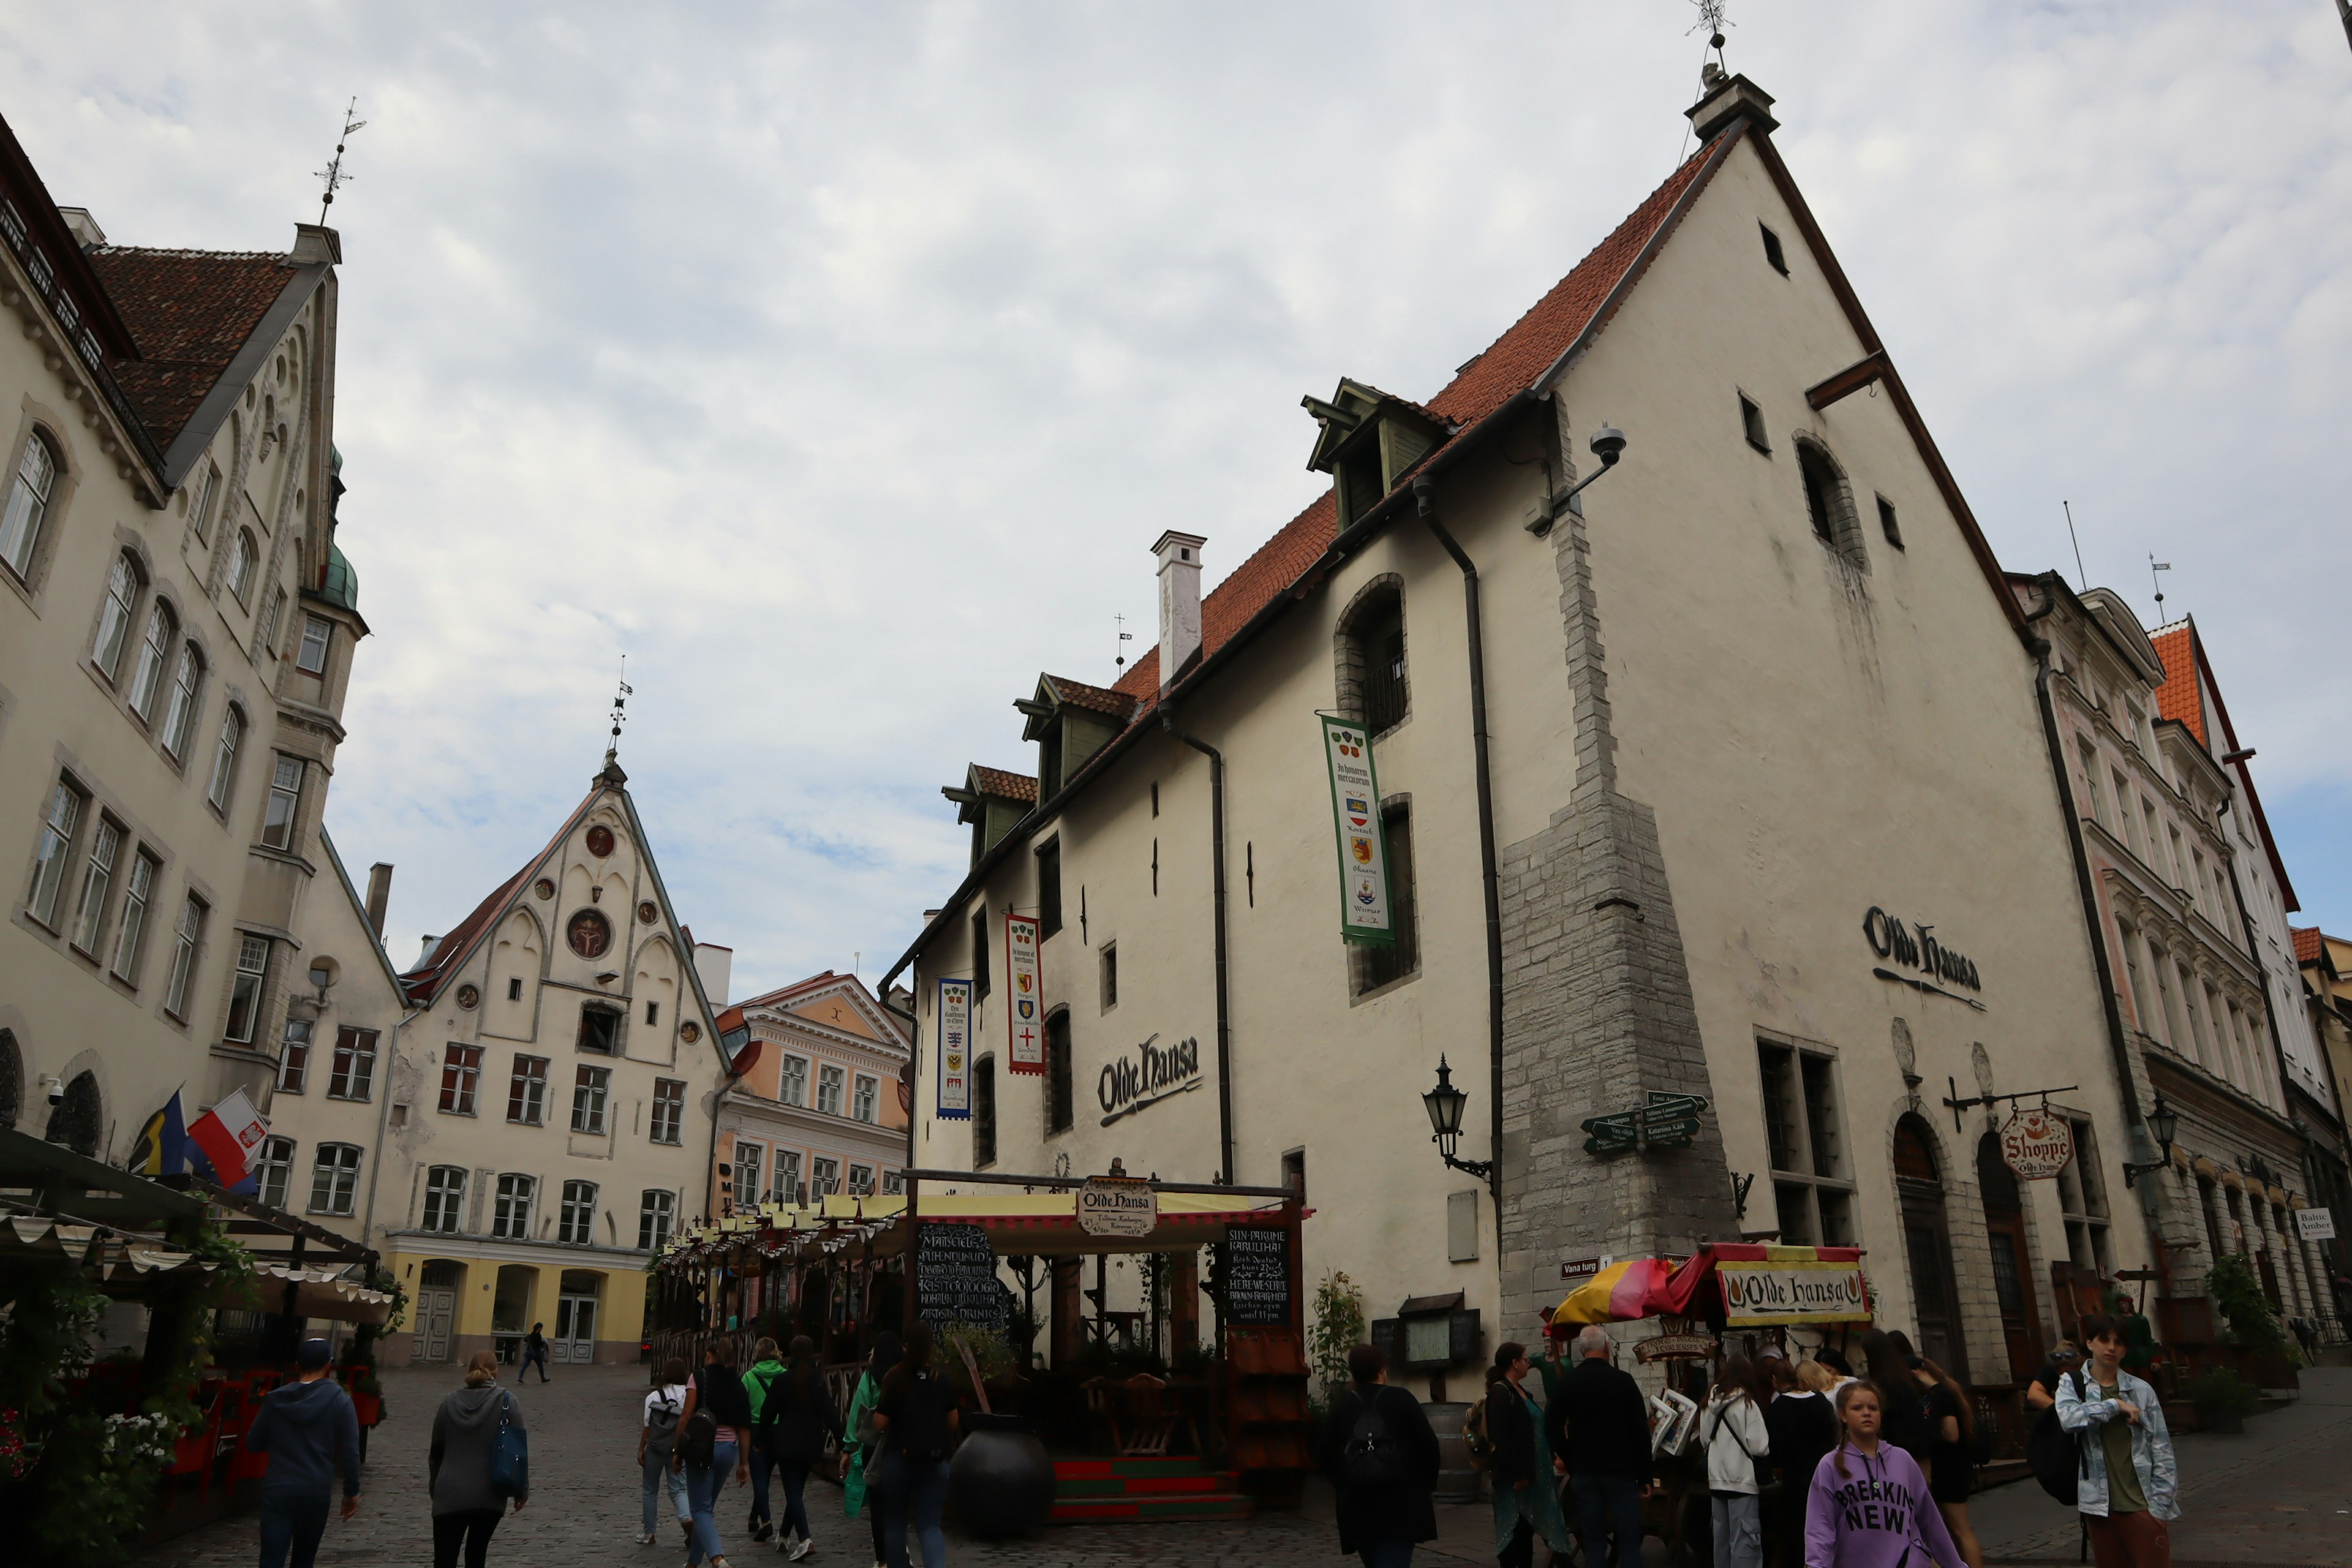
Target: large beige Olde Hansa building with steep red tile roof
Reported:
[(1723, 779)]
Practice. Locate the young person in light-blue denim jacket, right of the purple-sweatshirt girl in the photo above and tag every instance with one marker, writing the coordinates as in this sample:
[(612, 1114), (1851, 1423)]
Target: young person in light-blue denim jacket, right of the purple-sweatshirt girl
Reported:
[(2130, 1480)]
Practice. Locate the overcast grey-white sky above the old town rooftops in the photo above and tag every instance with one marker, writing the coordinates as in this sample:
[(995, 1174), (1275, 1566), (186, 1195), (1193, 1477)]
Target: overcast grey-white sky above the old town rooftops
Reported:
[(841, 363)]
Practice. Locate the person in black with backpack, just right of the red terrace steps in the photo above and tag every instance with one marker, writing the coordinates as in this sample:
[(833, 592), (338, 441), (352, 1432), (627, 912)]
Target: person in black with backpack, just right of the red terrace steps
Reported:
[(1382, 1459)]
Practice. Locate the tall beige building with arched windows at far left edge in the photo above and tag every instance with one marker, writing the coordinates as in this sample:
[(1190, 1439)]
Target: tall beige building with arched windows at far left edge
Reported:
[(175, 641)]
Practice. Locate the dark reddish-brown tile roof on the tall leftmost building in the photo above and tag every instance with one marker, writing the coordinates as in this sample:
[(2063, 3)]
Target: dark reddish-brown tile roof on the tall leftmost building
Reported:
[(192, 314)]
